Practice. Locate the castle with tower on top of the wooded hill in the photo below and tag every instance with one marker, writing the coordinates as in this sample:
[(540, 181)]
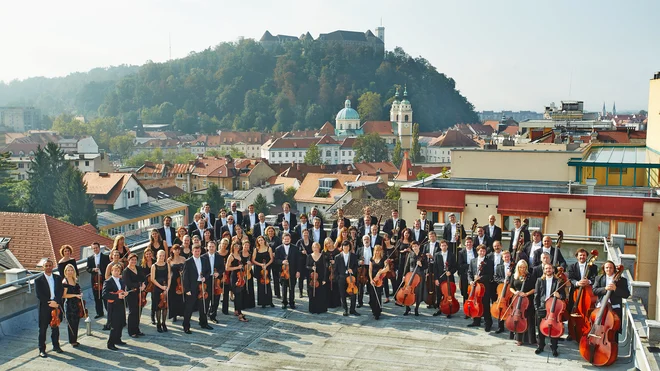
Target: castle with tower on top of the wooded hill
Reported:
[(347, 38)]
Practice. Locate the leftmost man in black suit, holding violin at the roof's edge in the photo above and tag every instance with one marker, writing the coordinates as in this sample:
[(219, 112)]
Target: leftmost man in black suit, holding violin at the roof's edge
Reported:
[(49, 291)]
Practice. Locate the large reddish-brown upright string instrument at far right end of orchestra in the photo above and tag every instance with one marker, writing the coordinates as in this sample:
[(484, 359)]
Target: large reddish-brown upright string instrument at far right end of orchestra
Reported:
[(598, 346)]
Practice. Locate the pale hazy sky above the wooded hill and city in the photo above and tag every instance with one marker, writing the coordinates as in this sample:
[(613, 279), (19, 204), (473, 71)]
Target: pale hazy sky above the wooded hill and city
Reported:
[(503, 54)]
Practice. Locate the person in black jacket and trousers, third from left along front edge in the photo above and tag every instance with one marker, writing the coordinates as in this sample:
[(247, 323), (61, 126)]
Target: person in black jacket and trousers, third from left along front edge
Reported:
[(115, 292)]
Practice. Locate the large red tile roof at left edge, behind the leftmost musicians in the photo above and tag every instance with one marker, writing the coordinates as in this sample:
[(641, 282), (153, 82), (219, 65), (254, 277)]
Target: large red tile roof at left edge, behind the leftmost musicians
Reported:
[(38, 236)]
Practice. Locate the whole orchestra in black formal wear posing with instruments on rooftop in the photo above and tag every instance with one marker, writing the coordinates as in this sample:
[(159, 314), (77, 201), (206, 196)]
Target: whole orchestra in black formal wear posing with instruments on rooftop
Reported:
[(527, 289)]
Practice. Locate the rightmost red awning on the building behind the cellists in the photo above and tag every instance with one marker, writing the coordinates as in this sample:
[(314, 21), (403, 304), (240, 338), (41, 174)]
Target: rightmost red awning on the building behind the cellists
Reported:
[(621, 208)]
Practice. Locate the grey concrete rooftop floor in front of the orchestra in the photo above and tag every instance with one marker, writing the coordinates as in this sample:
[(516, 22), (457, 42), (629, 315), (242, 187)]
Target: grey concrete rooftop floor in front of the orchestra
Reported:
[(294, 340)]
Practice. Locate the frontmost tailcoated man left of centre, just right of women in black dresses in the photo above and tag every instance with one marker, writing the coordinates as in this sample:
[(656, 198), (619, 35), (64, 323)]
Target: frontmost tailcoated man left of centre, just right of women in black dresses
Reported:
[(195, 271)]
